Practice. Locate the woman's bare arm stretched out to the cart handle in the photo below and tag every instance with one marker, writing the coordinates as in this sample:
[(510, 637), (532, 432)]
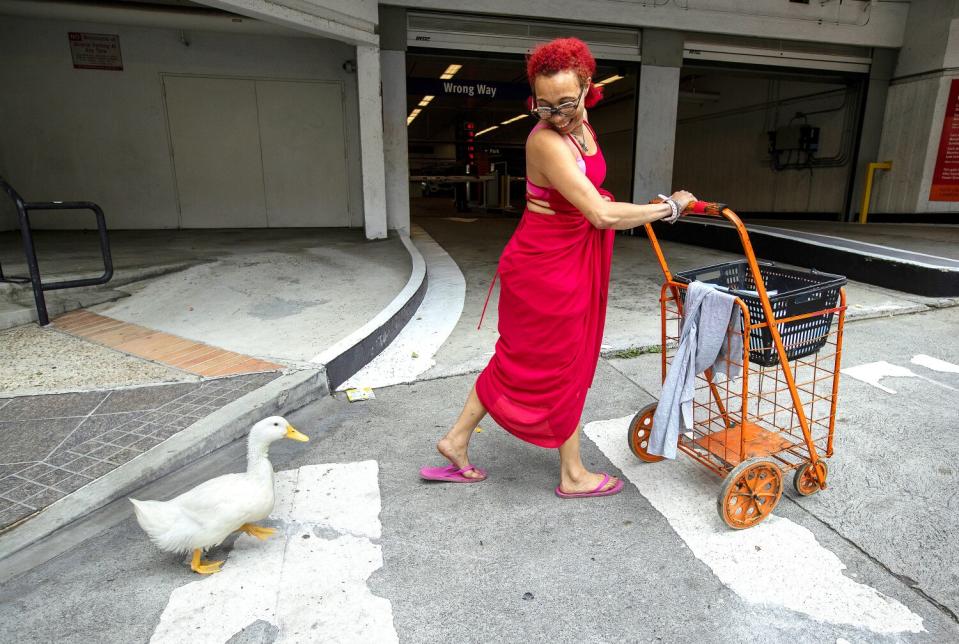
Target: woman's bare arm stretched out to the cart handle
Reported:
[(552, 158)]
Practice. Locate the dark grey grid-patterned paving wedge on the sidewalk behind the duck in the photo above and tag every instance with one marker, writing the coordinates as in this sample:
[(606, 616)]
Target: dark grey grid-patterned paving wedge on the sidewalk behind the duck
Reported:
[(54, 444)]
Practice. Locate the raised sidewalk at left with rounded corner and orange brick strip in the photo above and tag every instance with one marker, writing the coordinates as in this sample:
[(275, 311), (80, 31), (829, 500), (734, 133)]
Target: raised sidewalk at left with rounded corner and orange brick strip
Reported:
[(227, 328)]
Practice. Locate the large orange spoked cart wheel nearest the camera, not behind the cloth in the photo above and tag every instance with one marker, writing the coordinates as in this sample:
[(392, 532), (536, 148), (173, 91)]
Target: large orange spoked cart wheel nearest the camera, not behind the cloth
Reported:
[(750, 492)]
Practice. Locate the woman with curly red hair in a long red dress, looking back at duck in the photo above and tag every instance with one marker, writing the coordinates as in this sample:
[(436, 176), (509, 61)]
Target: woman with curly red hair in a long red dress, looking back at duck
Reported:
[(554, 281)]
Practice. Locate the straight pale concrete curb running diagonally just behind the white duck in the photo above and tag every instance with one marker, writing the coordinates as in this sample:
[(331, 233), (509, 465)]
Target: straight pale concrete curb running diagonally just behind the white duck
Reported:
[(287, 393)]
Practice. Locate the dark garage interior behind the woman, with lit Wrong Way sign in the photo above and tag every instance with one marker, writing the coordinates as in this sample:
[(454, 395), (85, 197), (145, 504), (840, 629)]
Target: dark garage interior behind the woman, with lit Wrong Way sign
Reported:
[(446, 125)]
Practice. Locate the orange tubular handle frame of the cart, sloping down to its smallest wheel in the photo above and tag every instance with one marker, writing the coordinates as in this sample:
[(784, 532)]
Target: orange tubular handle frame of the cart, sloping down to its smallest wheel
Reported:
[(713, 209)]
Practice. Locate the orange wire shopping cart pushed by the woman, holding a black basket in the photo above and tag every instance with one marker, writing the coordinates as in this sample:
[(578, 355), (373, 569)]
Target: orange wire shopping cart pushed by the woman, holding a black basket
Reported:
[(779, 415)]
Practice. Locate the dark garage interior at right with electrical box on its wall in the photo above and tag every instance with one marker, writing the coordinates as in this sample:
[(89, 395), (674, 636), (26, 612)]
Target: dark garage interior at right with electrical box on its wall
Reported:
[(771, 142)]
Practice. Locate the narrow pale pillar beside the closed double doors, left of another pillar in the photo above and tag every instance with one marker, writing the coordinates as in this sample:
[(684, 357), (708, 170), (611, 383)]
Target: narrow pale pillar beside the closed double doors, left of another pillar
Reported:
[(371, 140)]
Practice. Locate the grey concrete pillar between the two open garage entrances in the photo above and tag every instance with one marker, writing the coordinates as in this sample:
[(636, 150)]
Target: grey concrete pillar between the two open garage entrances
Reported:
[(656, 113)]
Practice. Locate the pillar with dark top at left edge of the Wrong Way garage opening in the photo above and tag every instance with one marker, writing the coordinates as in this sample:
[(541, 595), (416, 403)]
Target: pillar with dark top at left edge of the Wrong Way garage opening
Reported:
[(393, 60)]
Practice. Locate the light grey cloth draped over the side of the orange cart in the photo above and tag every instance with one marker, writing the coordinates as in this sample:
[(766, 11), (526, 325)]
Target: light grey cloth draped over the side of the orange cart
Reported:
[(707, 316)]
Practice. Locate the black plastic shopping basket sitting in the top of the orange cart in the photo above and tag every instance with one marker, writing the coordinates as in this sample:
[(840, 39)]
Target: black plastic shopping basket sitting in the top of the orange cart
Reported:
[(797, 292)]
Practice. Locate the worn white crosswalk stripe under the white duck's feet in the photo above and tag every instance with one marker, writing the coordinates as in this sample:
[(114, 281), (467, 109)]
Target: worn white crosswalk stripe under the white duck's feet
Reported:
[(309, 581)]
